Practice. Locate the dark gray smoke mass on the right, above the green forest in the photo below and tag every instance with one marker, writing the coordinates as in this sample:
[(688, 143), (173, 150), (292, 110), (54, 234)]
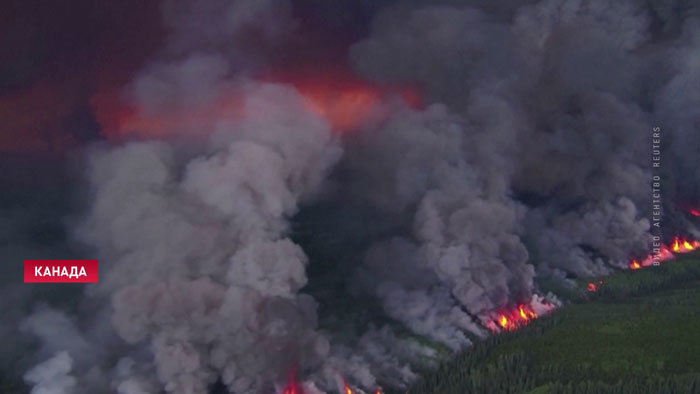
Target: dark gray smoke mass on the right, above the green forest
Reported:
[(540, 162)]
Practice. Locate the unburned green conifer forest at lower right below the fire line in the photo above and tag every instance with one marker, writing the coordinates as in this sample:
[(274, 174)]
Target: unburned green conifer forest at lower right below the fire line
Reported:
[(636, 333)]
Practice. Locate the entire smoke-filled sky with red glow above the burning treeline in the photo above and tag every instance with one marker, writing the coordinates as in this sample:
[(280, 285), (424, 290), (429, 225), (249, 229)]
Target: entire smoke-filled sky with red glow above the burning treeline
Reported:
[(317, 194)]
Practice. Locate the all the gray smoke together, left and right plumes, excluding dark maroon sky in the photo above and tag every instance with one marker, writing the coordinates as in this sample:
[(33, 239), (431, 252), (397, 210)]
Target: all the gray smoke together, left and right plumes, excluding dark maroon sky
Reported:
[(530, 159)]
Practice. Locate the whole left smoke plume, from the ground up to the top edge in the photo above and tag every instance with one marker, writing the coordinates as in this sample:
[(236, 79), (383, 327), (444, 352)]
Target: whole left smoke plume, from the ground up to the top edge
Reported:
[(201, 281)]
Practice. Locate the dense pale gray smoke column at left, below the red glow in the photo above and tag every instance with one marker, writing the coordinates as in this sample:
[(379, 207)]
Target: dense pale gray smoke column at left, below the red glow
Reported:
[(199, 267)]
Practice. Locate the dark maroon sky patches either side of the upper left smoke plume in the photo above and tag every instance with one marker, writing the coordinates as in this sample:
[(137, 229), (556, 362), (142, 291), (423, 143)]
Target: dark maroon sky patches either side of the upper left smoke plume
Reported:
[(53, 60)]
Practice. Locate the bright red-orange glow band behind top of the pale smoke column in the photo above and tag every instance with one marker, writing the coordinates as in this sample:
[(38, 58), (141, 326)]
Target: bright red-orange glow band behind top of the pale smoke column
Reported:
[(344, 100)]
